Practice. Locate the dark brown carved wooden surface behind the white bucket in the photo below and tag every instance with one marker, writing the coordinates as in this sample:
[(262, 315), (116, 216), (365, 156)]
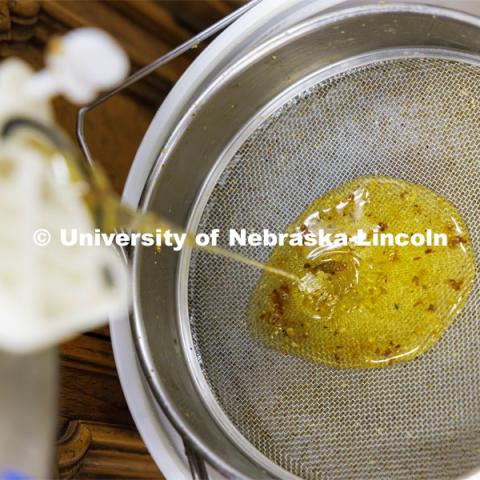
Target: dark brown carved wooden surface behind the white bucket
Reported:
[(96, 435)]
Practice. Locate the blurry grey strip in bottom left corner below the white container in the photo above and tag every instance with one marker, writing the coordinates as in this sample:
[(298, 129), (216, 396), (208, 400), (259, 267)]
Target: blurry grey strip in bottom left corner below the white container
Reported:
[(28, 413)]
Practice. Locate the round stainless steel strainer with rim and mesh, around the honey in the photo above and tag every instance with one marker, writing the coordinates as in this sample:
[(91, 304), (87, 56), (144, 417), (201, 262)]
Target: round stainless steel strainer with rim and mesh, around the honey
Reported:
[(376, 90)]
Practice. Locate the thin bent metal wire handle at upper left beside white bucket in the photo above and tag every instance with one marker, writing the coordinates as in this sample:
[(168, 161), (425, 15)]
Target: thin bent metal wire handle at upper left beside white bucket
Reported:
[(148, 69)]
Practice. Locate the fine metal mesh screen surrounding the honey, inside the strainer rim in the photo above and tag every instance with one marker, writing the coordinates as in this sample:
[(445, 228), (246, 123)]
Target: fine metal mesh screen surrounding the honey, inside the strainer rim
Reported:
[(415, 119)]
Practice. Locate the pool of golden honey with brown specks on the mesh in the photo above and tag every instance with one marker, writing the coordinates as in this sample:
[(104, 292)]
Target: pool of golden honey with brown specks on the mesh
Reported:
[(366, 306)]
